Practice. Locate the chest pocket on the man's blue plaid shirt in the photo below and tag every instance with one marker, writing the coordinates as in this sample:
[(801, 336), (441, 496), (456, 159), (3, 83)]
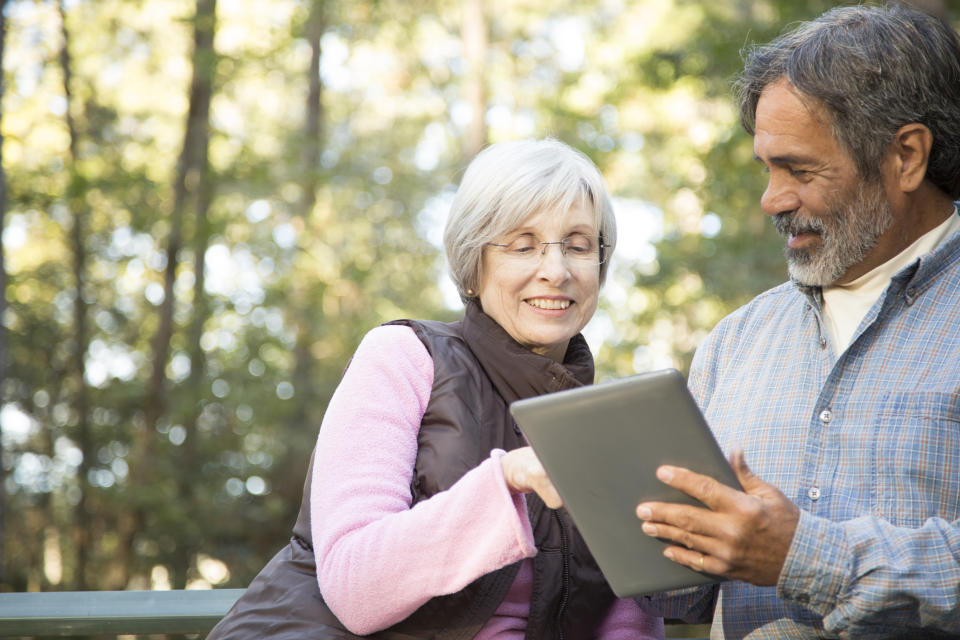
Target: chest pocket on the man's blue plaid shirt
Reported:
[(917, 457)]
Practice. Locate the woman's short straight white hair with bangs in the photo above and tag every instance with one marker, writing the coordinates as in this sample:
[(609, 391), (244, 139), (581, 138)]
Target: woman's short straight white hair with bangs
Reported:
[(508, 182)]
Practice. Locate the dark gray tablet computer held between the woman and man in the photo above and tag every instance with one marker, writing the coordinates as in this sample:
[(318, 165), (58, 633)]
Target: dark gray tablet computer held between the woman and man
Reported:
[(601, 446)]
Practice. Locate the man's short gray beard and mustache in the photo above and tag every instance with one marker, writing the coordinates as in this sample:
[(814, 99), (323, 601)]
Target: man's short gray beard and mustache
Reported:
[(848, 230)]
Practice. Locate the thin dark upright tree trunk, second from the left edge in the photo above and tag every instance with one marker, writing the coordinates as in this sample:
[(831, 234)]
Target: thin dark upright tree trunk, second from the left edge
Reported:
[(79, 214)]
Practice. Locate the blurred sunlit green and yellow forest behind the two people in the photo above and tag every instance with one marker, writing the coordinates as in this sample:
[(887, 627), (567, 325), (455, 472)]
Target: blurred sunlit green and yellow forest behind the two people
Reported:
[(207, 204)]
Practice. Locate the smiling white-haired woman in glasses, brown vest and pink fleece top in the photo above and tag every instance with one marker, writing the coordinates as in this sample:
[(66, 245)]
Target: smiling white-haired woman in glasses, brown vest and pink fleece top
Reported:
[(422, 515)]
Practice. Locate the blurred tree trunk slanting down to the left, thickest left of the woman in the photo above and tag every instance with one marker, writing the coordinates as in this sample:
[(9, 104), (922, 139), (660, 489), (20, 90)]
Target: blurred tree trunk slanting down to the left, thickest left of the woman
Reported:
[(192, 167)]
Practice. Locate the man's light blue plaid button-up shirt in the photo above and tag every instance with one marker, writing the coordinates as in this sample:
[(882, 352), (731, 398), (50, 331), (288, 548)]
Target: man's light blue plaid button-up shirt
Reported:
[(867, 445)]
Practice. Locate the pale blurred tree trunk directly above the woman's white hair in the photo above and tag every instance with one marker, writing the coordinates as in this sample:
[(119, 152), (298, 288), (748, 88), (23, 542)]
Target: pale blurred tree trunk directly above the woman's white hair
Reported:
[(474, 33)]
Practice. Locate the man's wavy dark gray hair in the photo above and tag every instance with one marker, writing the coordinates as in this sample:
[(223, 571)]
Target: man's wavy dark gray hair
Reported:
[(874, 69)]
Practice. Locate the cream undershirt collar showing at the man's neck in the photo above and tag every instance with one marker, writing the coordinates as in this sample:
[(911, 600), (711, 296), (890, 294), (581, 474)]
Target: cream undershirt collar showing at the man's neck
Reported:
[(845, 305)]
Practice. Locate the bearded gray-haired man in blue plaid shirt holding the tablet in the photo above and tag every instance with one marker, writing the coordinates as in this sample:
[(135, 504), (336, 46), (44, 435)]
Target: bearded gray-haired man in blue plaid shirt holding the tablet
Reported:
[(842, 386)]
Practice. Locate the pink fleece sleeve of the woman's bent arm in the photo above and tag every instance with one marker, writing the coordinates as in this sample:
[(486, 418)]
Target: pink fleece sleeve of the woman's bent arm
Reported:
[(378, 560)]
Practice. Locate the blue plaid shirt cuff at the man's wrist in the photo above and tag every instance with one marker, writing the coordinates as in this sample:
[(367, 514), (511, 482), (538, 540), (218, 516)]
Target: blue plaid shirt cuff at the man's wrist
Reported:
[(817, 564)]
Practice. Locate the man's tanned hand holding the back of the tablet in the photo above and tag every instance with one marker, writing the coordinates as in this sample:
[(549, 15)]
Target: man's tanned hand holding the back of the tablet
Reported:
[(744, 535)]
